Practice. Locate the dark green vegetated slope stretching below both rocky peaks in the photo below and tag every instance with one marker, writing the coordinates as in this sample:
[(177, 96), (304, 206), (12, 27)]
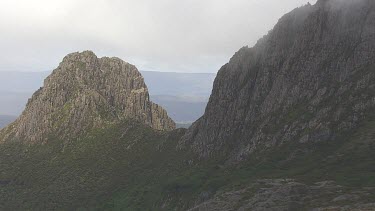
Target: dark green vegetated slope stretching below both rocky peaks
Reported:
[(139, 169)]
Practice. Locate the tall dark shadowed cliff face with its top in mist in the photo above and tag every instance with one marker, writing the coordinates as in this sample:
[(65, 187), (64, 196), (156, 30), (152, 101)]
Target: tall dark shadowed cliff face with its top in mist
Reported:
[(311, 79)]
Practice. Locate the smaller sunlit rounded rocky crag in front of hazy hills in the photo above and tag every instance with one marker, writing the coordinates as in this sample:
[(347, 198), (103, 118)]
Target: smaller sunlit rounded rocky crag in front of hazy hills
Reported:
[(84, 93)]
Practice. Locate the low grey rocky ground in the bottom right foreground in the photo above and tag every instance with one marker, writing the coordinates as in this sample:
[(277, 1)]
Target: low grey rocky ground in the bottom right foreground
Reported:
[(287, 194)]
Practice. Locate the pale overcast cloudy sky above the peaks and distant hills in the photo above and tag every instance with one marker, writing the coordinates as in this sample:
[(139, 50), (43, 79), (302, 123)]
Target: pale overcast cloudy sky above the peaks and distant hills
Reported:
[(157, 35)]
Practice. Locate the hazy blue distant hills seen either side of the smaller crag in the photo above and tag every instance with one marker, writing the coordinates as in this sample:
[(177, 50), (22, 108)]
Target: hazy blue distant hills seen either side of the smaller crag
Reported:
[(188, 92)]
